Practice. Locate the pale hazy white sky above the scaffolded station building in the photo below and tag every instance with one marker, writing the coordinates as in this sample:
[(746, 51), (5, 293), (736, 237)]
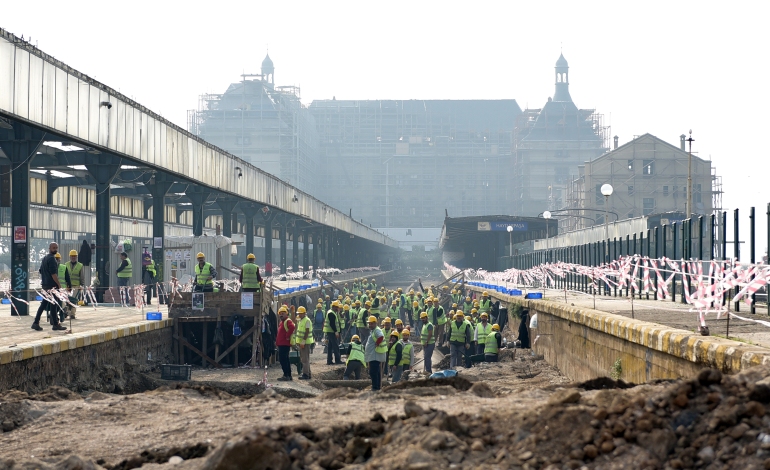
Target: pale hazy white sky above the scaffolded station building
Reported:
[(657, 67)]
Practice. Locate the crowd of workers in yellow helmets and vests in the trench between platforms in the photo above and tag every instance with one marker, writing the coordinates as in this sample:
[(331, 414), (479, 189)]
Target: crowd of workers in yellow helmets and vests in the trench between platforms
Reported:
[(377, 329)]
